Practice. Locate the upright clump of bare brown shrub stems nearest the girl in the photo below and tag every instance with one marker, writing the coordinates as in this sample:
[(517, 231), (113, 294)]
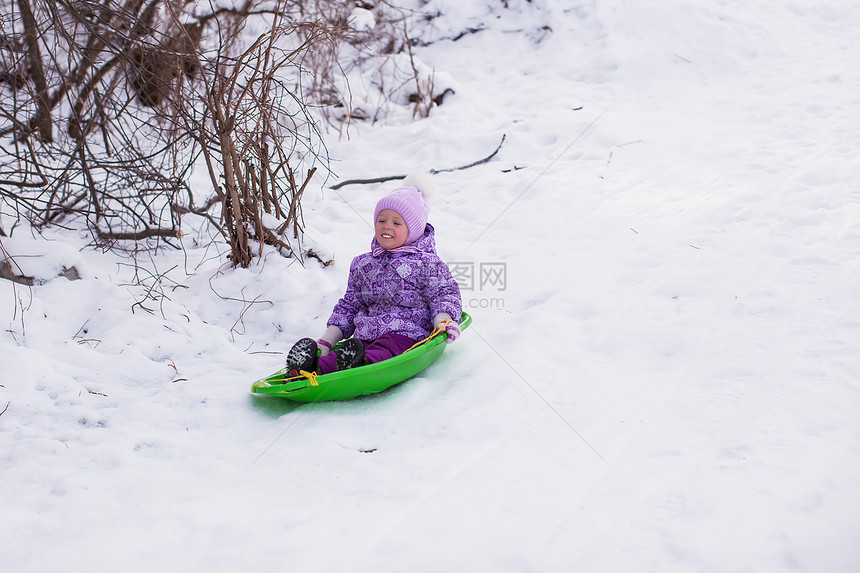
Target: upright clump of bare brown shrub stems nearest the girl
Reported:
[(256, 129)]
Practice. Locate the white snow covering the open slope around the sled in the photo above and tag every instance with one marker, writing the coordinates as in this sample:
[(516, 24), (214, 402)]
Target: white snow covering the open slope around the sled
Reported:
[(667, 379)]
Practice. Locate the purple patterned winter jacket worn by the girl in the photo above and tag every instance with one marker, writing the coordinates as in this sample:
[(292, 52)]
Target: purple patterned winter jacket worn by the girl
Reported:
[(397, 291)]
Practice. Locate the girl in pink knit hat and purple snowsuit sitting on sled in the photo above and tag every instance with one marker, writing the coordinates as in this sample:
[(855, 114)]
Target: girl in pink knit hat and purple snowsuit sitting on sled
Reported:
[(395, 295)]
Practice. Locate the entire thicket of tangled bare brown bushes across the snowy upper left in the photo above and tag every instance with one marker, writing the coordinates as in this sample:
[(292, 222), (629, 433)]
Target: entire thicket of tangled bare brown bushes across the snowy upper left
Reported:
[(106, 106)]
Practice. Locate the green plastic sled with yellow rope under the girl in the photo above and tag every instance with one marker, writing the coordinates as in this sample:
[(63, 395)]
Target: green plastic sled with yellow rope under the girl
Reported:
[(348, 384)]
